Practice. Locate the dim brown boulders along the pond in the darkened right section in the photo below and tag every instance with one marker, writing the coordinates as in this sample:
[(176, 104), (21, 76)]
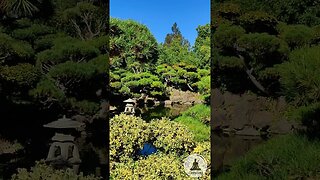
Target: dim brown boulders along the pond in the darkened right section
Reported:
[(249, 115)]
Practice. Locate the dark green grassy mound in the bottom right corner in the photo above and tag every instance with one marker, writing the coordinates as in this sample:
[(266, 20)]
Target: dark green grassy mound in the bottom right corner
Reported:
[(286, 157)]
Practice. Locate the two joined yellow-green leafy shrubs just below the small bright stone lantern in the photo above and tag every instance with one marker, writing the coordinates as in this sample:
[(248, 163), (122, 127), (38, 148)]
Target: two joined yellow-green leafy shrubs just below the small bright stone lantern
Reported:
[(129, 133)]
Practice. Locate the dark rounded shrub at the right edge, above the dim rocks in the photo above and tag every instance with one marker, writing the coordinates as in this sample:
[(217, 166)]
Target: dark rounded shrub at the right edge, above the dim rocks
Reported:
[(299, 76)]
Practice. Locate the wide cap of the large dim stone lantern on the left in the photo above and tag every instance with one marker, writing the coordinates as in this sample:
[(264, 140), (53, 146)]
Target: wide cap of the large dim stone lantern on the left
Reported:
[(64, 123)]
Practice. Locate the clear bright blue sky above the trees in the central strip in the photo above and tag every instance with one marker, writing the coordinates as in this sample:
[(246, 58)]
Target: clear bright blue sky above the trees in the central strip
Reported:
[(159, 15)]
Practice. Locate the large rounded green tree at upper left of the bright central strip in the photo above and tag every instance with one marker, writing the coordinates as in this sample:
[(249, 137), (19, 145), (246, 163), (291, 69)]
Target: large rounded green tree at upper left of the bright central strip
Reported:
[(132, 42)]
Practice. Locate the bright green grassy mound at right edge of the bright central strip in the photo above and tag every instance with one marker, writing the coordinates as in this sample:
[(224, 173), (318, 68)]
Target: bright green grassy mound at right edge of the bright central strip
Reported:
[(194, 119)]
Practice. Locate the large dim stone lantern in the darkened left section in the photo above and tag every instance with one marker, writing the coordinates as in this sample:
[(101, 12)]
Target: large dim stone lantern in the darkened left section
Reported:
[(63, 151)]
